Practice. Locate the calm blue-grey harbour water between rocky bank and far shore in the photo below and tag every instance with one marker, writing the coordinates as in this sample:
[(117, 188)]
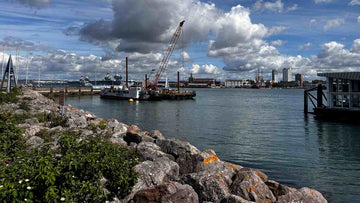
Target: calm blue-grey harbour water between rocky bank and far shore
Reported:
[(263, 129)]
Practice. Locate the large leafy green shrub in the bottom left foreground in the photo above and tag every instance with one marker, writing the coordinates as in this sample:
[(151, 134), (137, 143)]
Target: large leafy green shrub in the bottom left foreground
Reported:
[(43, 176)]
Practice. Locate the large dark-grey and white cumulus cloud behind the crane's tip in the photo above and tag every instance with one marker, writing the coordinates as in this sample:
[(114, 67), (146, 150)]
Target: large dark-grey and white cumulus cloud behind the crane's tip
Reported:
[(137, 30)]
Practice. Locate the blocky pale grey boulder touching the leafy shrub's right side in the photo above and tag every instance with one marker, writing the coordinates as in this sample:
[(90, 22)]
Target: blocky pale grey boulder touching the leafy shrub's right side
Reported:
[(152, 173)]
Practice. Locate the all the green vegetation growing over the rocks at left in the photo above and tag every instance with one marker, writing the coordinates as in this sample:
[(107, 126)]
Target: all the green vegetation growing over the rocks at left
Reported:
[(67, 168)]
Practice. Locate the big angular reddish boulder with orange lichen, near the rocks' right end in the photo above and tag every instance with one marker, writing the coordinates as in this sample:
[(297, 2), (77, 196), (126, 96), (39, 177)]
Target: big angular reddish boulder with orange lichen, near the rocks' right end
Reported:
[(250, 186)]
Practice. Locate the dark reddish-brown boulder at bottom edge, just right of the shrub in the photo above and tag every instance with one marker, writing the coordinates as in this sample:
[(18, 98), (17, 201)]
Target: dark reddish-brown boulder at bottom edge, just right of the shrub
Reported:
[(170, 192)]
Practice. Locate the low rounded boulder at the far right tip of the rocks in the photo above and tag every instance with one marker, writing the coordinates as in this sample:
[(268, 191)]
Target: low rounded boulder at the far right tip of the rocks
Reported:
[(303, 195)]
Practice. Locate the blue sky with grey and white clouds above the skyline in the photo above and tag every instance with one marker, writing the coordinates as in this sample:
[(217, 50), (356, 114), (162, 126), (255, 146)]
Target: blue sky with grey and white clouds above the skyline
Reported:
[(222, 39)]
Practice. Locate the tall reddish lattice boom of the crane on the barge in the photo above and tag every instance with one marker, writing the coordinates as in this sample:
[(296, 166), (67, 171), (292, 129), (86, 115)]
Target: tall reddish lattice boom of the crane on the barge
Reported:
[(167, 53)]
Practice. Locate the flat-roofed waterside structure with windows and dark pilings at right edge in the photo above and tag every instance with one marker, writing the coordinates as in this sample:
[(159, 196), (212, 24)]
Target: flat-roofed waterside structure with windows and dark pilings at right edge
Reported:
[(340, 101)]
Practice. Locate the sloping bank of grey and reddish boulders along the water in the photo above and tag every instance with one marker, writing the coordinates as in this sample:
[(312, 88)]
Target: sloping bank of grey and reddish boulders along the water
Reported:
[(170, 170)]
